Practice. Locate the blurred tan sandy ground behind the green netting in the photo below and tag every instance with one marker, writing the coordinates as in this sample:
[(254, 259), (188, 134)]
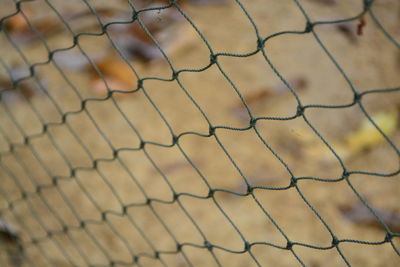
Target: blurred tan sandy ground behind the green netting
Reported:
[(85, 192)]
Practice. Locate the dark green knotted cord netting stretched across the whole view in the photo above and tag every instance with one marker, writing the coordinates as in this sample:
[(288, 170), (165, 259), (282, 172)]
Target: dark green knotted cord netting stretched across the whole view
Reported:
[(63, 219)]
